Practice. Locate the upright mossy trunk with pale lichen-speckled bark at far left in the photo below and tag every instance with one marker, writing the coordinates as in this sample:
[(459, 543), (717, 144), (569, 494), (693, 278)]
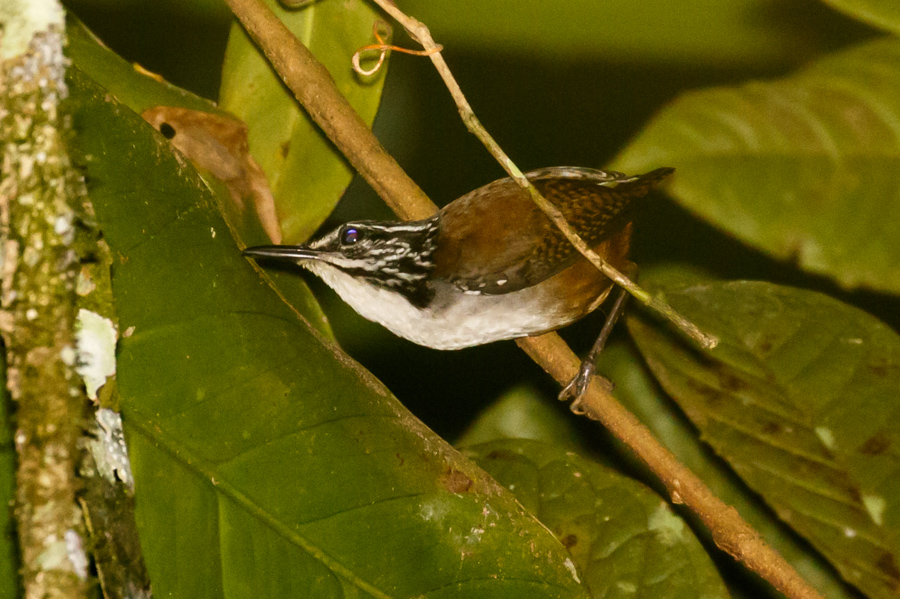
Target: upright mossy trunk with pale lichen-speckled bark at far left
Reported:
[(38, 195)]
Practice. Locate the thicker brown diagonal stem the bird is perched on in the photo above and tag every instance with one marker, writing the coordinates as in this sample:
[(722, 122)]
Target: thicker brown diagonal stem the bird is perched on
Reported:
[(730, 531)]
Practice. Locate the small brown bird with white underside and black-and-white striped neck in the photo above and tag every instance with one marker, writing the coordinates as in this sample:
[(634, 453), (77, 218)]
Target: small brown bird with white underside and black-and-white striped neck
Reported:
[(488, 266)]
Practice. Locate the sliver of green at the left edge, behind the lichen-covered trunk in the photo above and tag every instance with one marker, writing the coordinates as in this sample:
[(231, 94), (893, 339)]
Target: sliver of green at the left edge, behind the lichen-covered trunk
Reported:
[(9, 566)]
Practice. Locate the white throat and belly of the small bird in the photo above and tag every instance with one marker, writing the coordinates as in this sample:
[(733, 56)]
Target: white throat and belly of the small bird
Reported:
[(466, 321)]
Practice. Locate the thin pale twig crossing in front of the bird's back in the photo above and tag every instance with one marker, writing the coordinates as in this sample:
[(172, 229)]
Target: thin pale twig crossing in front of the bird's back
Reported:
[(422, 35)]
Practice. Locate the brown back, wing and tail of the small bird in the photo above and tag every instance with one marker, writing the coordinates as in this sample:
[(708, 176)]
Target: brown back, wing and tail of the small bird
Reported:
[(494, 240)]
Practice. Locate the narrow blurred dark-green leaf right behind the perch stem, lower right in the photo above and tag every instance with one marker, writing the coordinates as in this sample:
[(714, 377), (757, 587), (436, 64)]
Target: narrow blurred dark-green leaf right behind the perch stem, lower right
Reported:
[(637, 391)]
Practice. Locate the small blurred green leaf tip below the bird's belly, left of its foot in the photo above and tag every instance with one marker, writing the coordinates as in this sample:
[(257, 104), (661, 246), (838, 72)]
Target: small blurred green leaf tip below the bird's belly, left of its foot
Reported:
[(523, 414)]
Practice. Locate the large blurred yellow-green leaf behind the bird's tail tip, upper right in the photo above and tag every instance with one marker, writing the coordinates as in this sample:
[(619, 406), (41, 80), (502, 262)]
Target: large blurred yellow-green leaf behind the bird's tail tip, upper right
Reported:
[(804, 168)]
